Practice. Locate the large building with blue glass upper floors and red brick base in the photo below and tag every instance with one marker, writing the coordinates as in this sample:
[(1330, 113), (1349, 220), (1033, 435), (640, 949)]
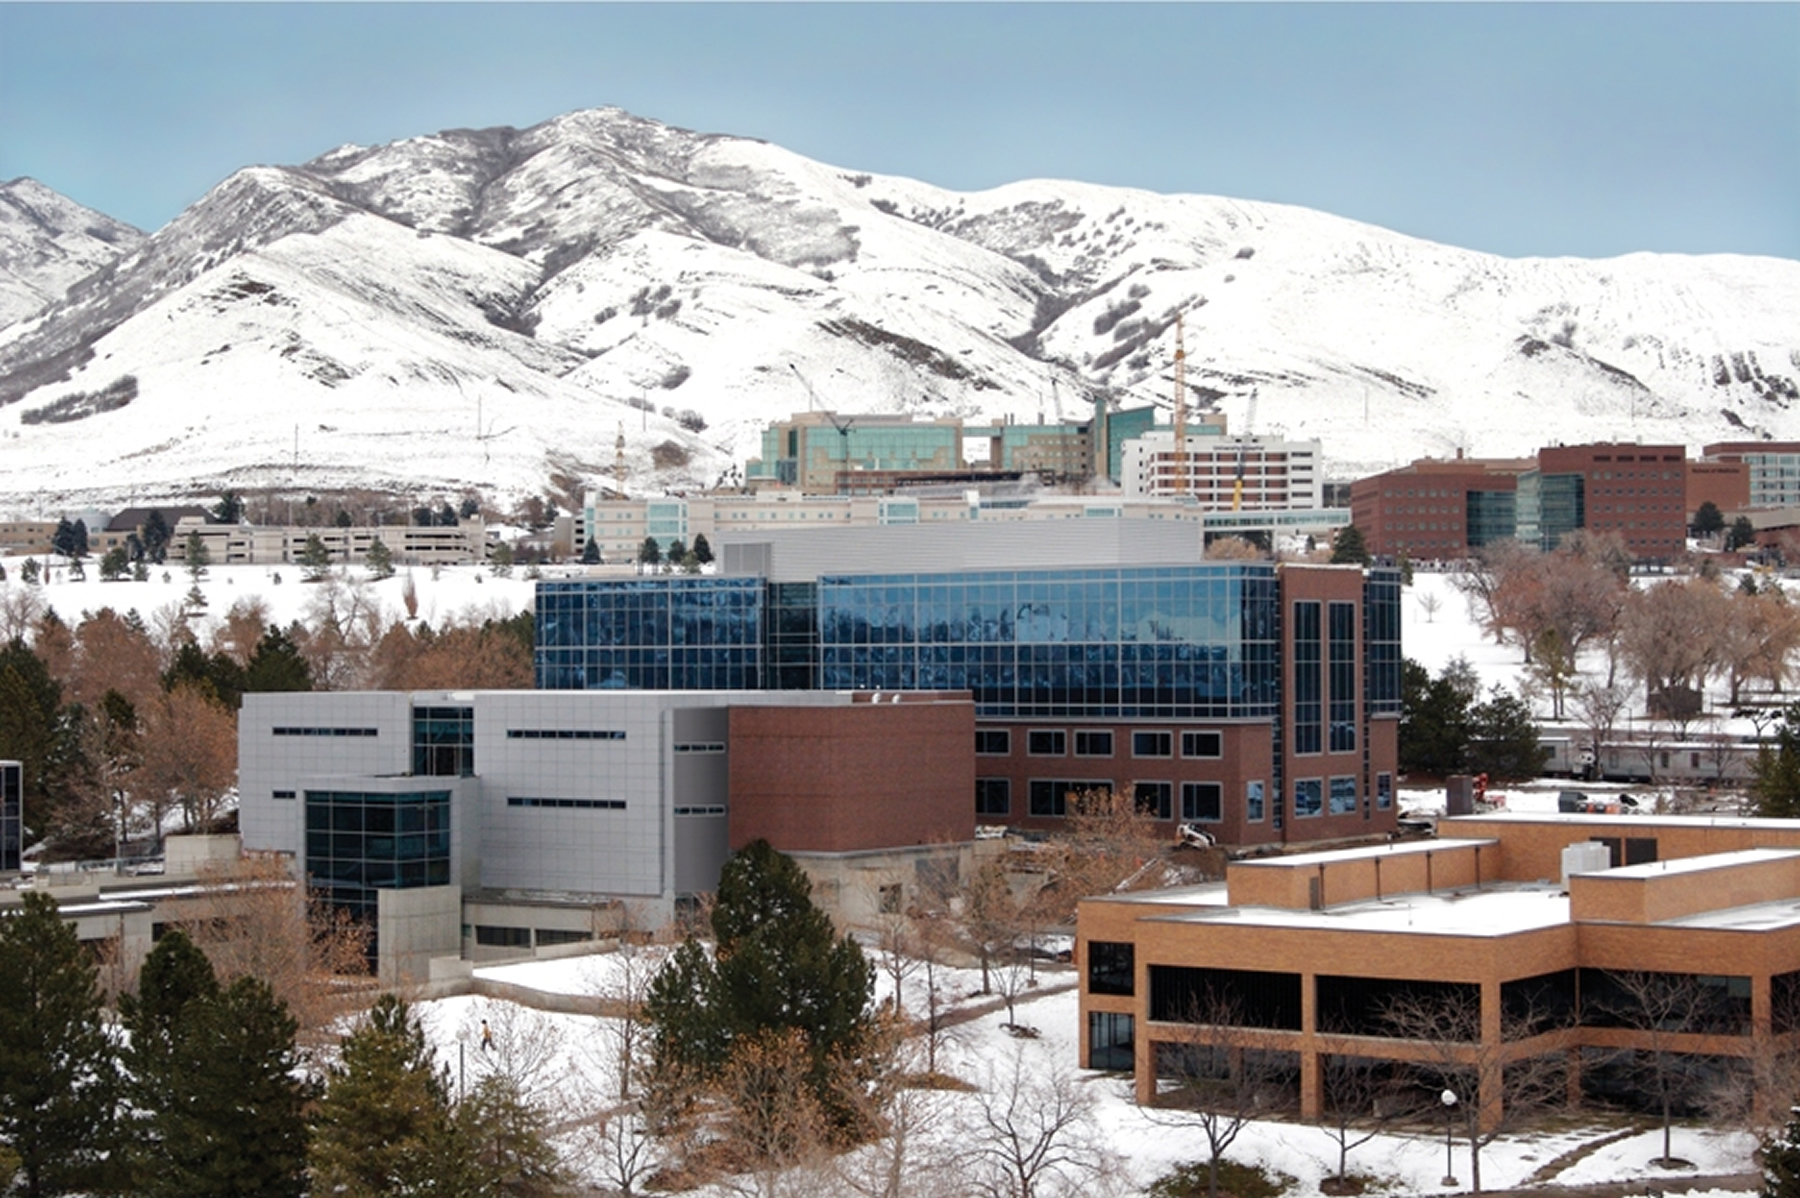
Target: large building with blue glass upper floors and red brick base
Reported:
[(1255, 699)]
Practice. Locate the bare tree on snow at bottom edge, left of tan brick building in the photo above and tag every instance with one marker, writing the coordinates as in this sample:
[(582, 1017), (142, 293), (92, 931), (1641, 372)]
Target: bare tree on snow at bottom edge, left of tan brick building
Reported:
[(1032, 1134)]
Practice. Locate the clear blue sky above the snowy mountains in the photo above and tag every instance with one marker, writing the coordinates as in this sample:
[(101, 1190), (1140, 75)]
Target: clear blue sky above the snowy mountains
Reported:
[(1516, 129)]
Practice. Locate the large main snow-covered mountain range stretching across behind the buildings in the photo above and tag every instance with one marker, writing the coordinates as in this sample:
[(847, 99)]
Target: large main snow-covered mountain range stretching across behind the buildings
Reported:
[(494, 308)]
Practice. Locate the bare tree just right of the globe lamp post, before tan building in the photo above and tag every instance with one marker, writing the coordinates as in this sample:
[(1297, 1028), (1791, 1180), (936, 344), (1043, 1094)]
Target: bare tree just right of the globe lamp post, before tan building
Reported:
[(1497, 1084)]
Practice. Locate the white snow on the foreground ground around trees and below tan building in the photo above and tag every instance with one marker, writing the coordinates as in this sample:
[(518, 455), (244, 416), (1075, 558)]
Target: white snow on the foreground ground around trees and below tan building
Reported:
[(573, 1059)]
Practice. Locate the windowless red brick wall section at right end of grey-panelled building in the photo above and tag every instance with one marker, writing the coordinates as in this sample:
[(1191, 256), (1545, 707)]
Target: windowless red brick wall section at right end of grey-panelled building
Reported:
[(867, 776)]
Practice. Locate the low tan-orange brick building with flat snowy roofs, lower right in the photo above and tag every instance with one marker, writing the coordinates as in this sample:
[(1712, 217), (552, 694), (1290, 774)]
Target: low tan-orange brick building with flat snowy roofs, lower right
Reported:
[(1511, 913)]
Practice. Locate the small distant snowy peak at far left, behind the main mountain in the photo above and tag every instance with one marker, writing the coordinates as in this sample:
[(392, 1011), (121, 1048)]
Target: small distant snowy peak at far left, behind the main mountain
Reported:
[(49, 242)]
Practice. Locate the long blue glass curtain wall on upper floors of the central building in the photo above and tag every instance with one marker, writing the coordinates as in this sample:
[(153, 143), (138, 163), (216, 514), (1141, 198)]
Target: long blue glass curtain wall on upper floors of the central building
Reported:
[(1171, 643)]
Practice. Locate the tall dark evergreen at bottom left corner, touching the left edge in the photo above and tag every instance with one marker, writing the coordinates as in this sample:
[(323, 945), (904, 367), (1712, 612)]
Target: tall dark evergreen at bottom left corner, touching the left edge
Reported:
[(58, 1075)]
